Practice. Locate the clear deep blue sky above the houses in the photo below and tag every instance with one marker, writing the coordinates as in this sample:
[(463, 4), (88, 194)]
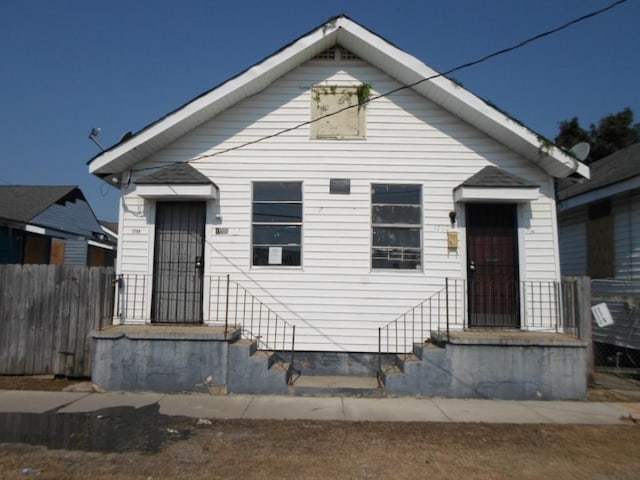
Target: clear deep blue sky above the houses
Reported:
[(67, 66)]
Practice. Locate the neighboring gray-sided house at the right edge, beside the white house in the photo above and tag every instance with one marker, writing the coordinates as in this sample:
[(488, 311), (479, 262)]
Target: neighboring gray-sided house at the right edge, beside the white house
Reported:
[(599, 228)]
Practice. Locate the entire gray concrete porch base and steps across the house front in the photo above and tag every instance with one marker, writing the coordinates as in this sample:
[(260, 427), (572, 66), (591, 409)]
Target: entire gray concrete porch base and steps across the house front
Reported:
[(201, 359)]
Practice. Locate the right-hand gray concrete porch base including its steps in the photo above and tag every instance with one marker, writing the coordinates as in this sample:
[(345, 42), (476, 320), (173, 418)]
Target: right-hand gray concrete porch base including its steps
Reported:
[(555, 371)]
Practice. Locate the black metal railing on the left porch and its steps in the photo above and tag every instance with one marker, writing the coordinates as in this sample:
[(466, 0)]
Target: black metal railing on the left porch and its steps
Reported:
[(225, 302)]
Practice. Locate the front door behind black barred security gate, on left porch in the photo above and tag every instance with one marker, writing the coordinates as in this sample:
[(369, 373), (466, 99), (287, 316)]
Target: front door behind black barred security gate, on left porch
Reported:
[(178, 262)]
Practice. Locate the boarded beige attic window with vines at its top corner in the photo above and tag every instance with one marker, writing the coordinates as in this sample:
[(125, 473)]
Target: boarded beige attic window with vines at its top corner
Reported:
[(335, 113)]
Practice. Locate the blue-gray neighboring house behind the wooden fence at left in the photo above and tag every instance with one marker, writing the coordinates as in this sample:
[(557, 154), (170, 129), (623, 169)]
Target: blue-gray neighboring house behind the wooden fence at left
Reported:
[(51, 225)]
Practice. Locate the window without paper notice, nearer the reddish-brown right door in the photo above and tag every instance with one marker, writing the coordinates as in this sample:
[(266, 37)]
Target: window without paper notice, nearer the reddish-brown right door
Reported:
[(396, 222)]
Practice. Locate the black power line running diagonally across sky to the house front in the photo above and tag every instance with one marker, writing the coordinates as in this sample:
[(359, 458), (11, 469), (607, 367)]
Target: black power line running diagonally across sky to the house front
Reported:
[(405, 87)]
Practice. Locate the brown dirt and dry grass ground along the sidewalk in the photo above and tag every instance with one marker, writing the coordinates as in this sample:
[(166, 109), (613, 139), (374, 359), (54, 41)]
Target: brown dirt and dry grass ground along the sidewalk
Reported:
[(250, 449)]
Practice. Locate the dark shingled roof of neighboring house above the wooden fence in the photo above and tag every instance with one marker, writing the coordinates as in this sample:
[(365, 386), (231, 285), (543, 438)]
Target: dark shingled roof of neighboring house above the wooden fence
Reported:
[(21, 203)]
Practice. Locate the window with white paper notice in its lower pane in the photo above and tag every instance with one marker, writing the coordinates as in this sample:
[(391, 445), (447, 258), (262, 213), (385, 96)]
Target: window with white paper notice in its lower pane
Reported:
[(277, 223)]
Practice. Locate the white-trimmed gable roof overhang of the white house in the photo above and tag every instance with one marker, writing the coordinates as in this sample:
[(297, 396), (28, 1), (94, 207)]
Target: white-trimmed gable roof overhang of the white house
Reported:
[(369, 47)]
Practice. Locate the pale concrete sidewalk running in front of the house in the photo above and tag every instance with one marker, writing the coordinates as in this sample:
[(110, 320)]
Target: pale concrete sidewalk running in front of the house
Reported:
[(404, 409)]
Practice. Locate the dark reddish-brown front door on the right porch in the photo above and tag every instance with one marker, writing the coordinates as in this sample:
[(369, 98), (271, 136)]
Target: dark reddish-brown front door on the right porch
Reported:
[(492, 269)]
